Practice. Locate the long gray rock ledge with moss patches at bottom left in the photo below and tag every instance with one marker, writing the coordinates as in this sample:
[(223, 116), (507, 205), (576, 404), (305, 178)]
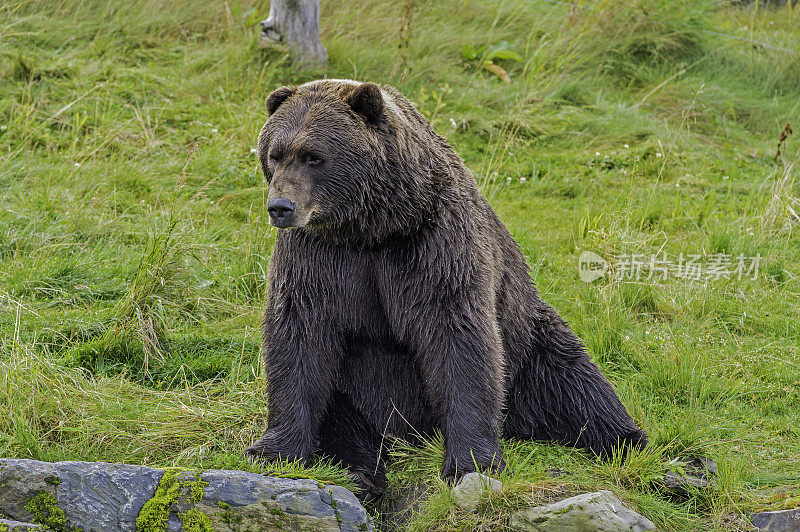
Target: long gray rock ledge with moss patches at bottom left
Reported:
[(103, 497)]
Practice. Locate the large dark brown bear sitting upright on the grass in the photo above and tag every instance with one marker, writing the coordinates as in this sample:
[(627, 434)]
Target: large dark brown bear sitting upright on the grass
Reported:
[(399, 305)]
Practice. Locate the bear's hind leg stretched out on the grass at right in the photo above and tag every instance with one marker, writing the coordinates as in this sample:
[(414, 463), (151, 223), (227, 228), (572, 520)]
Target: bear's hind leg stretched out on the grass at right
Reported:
[(557, 393)]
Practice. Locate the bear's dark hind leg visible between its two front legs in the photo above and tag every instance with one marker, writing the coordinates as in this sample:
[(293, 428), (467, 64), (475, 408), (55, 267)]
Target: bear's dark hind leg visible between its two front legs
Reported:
[(346, 435)]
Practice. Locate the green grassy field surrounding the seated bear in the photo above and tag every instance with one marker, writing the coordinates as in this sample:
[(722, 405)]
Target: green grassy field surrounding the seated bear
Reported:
[(134, 241)]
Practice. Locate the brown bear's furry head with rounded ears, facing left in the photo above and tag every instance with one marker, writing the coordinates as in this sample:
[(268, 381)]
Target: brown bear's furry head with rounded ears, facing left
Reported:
[(344, 159)]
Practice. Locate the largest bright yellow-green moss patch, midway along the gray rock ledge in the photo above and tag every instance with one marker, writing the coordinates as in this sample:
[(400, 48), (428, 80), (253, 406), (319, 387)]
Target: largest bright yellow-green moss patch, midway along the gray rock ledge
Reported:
[(155, 513)]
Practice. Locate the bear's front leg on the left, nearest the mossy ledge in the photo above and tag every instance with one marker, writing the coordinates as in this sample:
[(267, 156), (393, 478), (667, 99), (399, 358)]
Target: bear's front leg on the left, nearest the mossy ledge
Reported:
[(300, 371)]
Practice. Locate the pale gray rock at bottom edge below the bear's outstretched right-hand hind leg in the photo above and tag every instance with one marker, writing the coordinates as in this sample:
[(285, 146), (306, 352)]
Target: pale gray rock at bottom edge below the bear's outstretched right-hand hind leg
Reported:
[(600, 511)]
